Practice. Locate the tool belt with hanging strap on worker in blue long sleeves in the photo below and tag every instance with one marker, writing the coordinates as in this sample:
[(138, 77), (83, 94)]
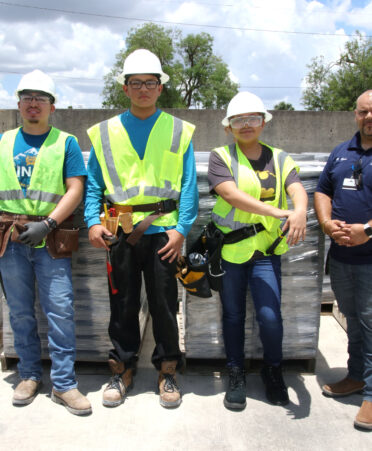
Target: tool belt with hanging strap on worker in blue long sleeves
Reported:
[(157, 210)]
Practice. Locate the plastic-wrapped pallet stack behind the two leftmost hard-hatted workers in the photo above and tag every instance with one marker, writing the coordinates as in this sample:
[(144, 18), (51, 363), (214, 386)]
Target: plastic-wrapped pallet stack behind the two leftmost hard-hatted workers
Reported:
[(91, 302)]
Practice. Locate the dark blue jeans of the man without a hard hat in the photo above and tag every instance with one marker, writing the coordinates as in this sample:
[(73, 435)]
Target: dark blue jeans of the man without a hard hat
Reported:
[(352, 286)]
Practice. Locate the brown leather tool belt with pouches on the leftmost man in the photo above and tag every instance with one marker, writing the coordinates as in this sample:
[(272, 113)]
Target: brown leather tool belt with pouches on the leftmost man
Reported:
[(60, 242)]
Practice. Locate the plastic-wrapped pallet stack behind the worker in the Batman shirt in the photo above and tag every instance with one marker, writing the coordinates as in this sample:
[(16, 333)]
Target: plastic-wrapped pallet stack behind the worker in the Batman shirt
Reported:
[(302, 274)]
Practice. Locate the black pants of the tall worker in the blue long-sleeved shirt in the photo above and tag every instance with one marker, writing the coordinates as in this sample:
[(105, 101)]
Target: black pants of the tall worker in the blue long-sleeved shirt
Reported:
[(161, 288)]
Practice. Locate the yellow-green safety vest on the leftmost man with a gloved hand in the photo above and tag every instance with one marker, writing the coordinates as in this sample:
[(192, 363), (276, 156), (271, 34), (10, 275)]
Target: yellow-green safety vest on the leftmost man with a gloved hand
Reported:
[(46, 187)]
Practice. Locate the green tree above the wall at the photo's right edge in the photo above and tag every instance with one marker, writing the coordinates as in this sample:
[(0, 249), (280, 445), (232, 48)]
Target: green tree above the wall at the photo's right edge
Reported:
[(336, 86)]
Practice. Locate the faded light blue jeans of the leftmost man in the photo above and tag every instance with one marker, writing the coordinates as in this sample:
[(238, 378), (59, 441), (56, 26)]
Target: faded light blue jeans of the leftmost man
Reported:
[(19, 267)]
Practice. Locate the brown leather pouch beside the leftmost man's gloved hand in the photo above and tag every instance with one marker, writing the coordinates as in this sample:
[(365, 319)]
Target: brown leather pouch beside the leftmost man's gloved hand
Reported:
[(61, 242)]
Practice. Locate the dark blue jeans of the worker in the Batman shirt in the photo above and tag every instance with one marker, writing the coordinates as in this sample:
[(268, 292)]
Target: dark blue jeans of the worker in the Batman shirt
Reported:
[(263, 276)]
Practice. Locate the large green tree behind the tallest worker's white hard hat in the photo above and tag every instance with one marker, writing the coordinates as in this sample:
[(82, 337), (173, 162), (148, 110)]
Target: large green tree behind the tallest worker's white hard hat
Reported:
[(198, 78)]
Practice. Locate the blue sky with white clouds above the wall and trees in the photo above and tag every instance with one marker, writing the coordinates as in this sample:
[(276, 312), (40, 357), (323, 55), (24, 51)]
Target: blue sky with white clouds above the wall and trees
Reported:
[(266, 44)]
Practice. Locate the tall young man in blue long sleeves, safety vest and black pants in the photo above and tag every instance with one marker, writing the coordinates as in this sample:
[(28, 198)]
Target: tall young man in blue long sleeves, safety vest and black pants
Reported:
[(142, 163)]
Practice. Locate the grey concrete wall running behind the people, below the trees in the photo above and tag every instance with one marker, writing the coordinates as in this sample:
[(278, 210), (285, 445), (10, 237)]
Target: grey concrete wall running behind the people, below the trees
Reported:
[(293, 131)]
